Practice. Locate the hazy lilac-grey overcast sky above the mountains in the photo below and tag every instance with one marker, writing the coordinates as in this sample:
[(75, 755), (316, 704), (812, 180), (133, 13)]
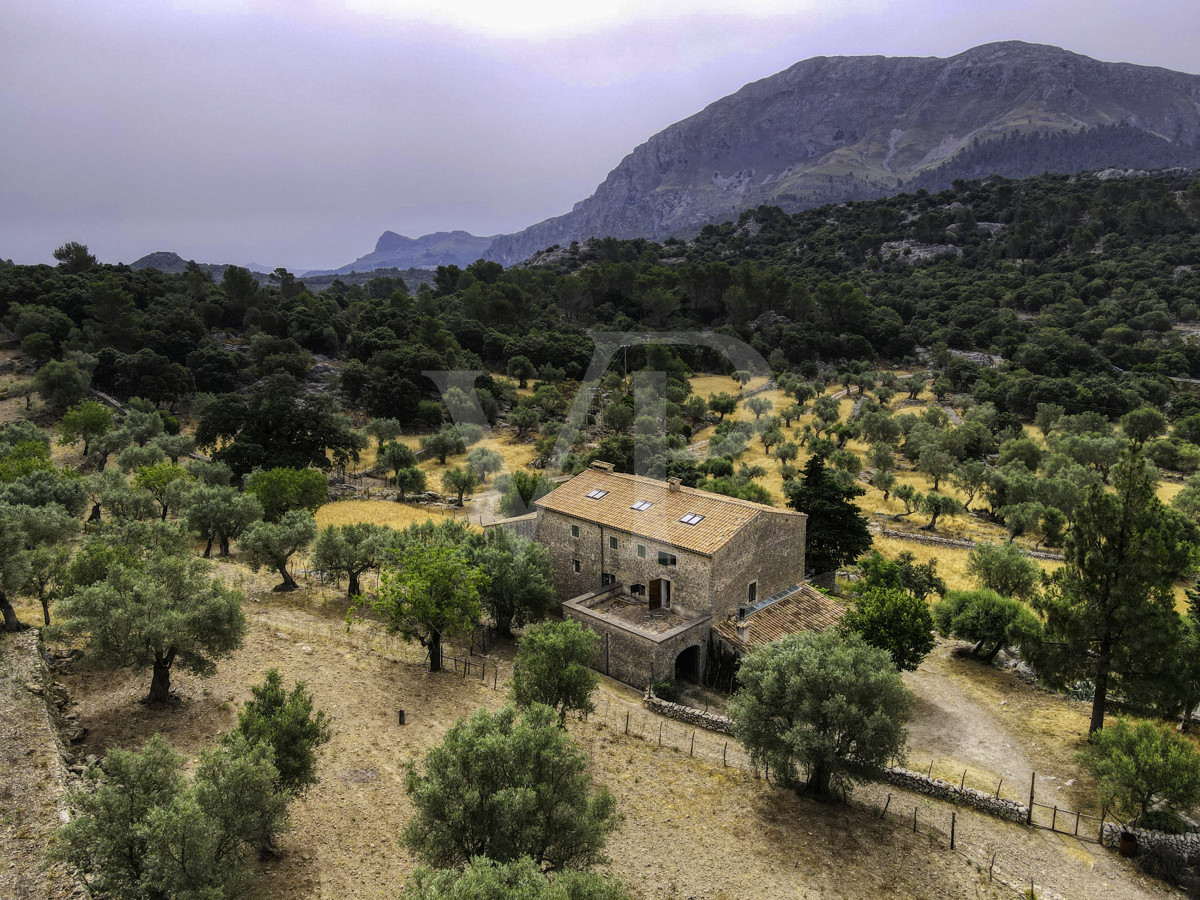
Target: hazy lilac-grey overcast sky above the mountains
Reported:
[(296, 133)]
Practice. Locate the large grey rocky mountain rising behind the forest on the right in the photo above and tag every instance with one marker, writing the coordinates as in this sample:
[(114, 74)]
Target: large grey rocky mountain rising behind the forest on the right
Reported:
[(855, 128)]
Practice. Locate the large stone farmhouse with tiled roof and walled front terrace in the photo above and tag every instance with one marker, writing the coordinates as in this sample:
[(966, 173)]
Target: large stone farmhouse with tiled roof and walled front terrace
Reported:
[(655, 568)]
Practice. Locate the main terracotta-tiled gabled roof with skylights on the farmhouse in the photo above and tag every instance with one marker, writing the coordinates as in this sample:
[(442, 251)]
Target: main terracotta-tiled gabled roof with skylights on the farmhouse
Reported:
[(716, 518)]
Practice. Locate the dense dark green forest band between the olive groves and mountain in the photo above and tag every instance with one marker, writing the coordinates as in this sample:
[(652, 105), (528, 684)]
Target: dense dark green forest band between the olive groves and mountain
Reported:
[(1081, 284)]
